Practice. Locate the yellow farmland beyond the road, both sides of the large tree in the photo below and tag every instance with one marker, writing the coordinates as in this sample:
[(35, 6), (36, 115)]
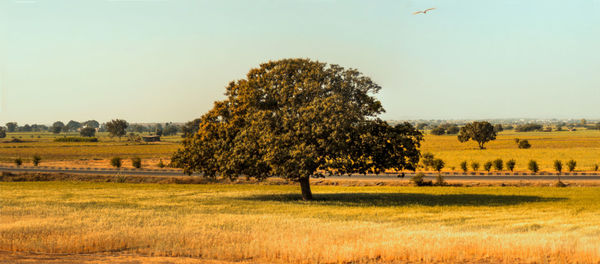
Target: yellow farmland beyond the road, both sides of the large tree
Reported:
[(582, 146)]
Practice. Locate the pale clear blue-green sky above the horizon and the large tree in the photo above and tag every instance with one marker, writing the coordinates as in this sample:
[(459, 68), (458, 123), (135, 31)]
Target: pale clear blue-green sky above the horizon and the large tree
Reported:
[(156, 61)]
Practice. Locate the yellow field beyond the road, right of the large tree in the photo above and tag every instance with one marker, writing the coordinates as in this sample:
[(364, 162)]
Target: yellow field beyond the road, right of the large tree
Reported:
[(583, 146)]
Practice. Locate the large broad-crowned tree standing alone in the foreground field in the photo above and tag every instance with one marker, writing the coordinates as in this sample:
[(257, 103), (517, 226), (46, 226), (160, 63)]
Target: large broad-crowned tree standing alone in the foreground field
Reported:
[(297, 119)]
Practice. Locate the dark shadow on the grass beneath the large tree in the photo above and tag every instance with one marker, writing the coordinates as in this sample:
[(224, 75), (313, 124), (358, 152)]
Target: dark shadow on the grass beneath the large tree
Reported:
[(406, 199)]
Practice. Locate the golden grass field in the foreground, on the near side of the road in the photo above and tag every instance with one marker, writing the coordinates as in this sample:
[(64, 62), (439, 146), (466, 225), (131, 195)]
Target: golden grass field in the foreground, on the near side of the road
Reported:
[(266, 223)]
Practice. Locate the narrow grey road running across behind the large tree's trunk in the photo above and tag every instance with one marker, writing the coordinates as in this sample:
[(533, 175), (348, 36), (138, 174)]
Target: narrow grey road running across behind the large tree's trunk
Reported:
[(177, 172)]
